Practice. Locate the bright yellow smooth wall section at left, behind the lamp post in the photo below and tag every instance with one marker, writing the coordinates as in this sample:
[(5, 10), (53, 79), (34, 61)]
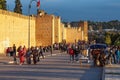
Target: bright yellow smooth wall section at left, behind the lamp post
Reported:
[(14, 30)]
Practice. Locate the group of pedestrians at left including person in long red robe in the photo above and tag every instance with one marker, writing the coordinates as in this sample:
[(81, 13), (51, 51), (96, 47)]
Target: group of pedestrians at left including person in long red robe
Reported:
[(22, 54)]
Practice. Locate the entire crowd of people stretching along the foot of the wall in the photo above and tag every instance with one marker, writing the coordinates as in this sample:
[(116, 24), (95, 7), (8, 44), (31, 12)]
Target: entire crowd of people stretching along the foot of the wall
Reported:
[(109, 55)]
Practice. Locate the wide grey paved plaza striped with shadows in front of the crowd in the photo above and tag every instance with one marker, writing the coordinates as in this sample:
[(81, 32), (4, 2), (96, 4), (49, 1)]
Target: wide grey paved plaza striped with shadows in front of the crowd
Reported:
[(55, 67)]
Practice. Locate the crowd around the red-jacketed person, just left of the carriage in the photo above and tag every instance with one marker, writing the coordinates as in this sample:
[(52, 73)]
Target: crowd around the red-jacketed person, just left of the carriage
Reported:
[(76, 50)]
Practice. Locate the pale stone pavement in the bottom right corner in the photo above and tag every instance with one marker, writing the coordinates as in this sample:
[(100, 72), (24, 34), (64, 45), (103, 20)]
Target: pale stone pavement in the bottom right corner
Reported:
[(112, 72)]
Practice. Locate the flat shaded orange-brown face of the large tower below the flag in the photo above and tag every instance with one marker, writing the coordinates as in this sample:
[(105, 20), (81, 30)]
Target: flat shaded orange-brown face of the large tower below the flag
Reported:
[(44, 26)]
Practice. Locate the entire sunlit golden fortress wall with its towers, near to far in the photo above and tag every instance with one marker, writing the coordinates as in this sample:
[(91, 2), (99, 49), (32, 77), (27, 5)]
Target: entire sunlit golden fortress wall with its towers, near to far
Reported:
[(44, 30)]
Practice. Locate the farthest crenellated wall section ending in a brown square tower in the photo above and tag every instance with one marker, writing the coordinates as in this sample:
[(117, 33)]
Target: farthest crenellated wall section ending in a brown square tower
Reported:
[(73, 34)]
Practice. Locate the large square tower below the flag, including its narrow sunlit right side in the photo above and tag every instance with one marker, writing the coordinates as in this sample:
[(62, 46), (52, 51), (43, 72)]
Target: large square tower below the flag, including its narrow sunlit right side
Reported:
[(48, 30)]
